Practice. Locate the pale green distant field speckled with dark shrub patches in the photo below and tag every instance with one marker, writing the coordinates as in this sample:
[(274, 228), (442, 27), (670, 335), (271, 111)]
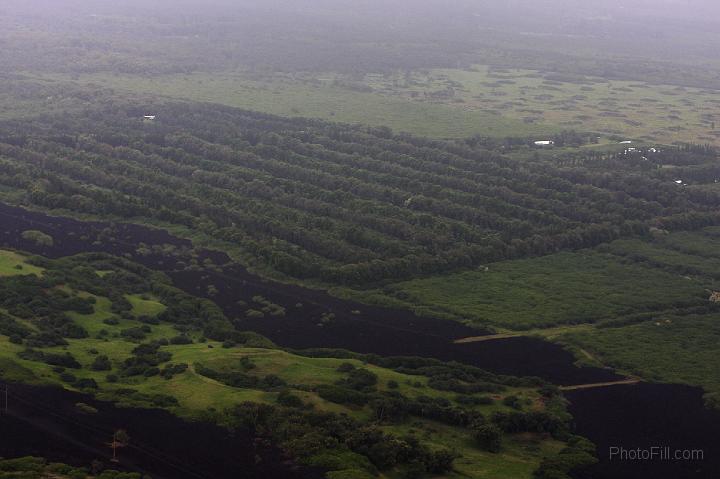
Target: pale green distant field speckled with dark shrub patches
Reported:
[(637, 110)]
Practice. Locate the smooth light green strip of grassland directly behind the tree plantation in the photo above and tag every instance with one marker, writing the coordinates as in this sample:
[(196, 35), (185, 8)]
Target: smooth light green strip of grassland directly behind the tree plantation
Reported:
[(294, 96)]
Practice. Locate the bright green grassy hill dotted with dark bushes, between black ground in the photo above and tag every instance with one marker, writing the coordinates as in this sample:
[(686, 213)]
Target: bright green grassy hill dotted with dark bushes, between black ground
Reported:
[(130, 338)]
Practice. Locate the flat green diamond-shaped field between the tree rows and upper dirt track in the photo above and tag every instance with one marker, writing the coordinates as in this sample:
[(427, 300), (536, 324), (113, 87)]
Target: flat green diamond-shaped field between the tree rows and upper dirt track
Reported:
[(564, 288)]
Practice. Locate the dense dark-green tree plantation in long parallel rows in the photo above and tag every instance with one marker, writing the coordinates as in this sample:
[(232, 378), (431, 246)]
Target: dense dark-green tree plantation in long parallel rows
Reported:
[(342, 204)]
